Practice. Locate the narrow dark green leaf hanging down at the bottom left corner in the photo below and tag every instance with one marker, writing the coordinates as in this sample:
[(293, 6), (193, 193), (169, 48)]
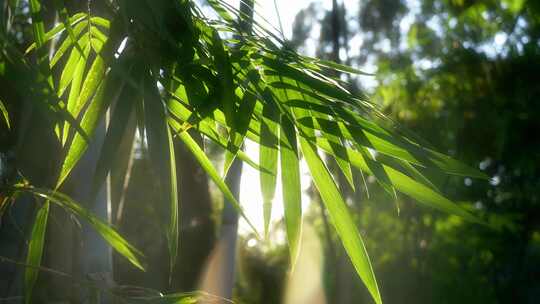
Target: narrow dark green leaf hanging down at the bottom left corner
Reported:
[(35, 251)]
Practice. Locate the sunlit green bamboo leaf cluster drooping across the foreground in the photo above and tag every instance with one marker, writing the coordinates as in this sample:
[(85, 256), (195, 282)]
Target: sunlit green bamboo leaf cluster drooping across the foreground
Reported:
[(173, 69)]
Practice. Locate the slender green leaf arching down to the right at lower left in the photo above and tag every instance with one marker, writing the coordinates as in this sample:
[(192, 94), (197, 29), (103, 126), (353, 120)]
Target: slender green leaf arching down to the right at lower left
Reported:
[(107, 232)]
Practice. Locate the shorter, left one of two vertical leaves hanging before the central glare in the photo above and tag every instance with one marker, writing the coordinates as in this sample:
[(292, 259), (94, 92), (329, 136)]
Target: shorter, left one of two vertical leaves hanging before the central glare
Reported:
[(268, 156)]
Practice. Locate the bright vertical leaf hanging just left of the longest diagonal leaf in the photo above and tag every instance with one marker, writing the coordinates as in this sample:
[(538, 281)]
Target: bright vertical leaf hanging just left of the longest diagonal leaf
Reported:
[(290, 179)]
